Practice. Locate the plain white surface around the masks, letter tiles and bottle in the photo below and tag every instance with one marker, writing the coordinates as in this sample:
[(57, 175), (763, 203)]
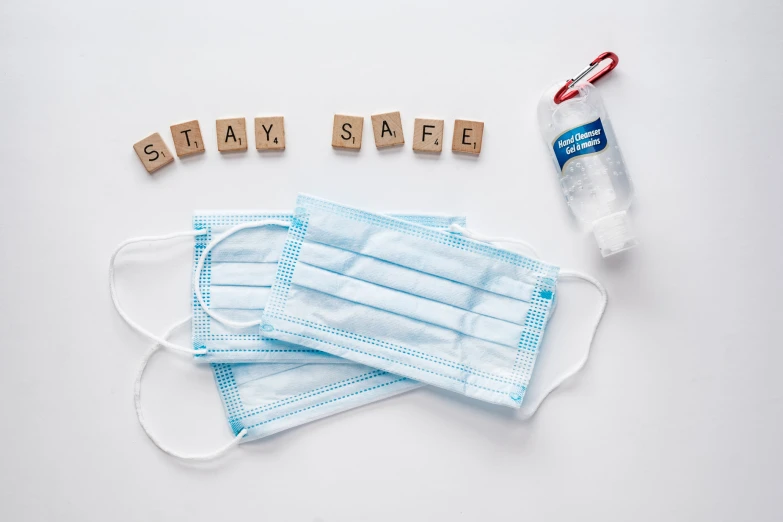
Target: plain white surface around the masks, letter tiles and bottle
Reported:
[(679, 412)]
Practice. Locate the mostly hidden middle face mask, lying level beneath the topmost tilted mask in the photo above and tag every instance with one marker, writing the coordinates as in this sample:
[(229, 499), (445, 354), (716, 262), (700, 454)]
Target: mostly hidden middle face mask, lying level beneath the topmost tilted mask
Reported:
[(235, 280)]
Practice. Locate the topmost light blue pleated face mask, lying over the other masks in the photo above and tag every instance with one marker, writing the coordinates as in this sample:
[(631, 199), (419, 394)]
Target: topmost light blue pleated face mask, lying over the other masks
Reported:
[(426, 304)]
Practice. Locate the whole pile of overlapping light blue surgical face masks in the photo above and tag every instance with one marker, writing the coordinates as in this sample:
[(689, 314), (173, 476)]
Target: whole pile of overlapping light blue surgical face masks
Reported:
[(306, 315)]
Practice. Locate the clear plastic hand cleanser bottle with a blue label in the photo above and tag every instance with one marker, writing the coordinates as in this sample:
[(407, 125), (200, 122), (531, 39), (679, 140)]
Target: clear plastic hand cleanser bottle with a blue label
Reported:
[(591, 168)]
